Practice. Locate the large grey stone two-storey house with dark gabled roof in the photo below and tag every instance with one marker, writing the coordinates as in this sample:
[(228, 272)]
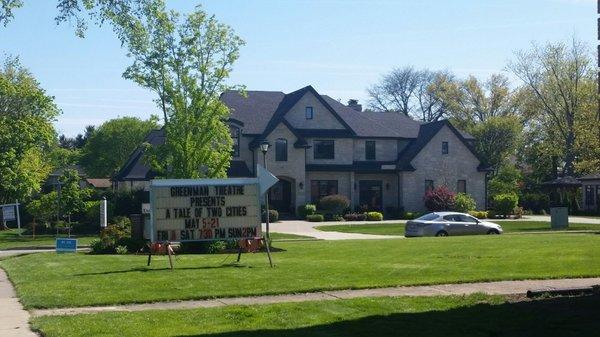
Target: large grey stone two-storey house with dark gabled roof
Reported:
[(321, 147)]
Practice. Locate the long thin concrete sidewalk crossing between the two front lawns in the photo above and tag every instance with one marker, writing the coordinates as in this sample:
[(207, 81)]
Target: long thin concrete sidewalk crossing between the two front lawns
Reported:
[(490, 288)]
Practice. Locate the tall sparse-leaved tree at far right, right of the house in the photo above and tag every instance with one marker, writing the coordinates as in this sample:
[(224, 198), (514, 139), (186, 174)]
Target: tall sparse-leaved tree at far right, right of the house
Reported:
[(558, 78)]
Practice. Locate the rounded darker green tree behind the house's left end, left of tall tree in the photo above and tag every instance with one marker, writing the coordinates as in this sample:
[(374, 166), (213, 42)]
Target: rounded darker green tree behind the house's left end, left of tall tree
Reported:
[(109, 146)]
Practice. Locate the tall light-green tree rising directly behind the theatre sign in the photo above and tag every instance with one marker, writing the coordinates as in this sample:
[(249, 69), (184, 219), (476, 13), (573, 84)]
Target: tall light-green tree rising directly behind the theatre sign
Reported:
[(185, 60)]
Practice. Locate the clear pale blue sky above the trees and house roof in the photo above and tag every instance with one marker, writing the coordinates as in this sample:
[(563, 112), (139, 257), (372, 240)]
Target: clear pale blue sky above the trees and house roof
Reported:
[(338, 46)]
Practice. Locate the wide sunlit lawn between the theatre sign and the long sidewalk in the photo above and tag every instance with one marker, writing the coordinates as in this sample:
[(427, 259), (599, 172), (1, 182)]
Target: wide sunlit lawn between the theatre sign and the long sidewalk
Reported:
[(65, 280)]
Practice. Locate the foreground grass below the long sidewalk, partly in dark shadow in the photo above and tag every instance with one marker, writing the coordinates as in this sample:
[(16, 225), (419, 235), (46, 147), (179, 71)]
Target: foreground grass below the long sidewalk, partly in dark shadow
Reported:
[(452, 316)]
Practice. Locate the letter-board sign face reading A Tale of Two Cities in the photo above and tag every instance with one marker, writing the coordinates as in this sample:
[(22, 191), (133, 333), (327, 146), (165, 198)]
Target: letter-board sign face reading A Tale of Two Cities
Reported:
[(205, 209)]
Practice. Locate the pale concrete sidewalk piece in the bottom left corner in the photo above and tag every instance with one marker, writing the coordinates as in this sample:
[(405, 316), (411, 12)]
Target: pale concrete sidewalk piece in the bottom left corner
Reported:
[(14, 320)]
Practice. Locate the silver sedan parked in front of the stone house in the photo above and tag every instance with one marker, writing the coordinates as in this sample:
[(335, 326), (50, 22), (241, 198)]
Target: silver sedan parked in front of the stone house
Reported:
[(449, 223)]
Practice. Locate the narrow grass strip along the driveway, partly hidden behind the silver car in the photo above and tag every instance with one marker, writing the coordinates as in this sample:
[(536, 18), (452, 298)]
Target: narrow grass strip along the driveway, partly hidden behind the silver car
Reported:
[(511, 226)]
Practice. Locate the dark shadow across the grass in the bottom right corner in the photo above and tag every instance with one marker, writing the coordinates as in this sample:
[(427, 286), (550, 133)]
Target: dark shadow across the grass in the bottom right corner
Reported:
[(575, 316)]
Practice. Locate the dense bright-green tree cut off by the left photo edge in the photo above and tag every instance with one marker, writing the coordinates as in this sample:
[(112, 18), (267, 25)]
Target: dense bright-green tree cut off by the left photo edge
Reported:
[(26, 132)]
